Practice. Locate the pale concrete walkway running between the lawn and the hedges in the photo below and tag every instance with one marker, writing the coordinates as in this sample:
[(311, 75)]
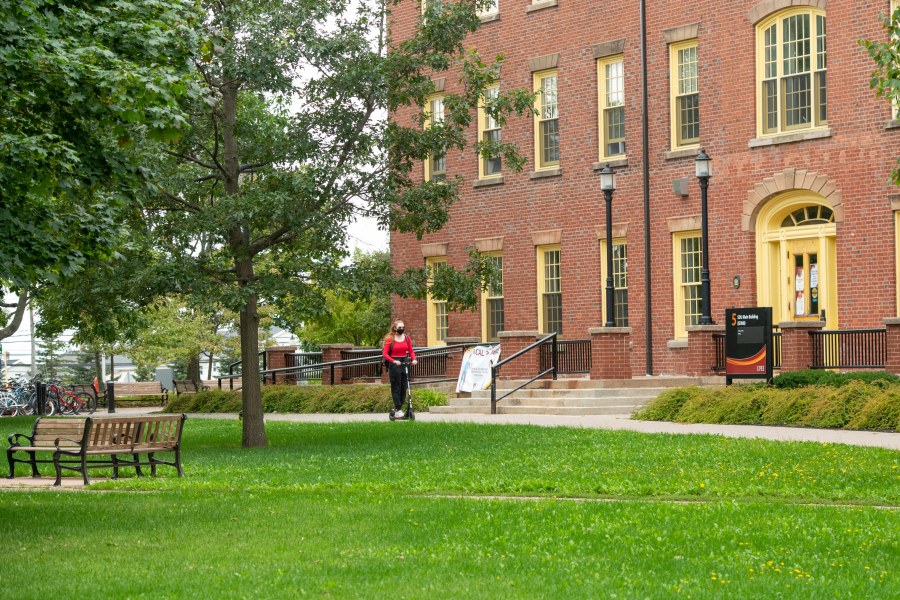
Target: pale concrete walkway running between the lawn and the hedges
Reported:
[(621, 422)]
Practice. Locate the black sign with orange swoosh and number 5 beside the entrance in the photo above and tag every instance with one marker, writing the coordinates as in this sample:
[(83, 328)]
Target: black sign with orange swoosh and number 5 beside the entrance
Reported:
[(748, 343)]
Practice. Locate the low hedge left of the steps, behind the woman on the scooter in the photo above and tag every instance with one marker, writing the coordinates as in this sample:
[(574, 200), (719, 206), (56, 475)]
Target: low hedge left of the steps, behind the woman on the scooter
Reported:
[(368, 398)]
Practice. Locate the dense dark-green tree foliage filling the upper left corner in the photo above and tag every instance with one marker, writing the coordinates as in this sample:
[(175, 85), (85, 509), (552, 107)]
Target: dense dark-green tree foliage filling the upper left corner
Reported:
[(77, 81)]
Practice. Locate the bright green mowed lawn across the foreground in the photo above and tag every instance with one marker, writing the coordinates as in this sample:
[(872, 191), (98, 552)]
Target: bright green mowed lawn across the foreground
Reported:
[(412, 510)]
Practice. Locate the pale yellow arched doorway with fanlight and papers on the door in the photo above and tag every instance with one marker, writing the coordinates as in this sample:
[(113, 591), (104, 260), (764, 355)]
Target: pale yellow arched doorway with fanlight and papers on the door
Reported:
[(796, 257)]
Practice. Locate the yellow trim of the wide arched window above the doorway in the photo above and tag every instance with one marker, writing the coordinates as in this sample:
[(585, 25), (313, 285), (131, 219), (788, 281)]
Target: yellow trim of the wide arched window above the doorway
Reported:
[(761, 28)]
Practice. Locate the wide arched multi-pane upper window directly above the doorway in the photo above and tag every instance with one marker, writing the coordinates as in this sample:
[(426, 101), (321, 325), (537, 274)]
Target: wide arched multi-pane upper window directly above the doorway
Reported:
[(791, 63)]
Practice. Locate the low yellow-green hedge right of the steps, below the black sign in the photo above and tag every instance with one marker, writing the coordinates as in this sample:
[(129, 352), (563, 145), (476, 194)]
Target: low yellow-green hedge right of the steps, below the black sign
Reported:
[(852, 405)]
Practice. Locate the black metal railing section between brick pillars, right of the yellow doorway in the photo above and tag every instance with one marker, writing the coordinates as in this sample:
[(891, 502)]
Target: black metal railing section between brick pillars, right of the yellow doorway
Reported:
[(849, 349)]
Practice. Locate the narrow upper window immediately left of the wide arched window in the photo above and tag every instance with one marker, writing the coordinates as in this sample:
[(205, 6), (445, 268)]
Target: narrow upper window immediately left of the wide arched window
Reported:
[(685, 95)]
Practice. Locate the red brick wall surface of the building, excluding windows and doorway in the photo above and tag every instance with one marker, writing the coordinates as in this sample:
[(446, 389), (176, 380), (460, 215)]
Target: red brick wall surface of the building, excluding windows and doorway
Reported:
[(857, 157)]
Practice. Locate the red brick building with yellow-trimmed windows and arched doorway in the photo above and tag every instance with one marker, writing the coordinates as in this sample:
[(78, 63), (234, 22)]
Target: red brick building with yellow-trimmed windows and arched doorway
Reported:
[(802, 214)]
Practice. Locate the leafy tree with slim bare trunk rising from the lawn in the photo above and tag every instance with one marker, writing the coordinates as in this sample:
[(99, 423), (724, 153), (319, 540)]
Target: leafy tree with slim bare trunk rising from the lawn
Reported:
[(290, 143)]
